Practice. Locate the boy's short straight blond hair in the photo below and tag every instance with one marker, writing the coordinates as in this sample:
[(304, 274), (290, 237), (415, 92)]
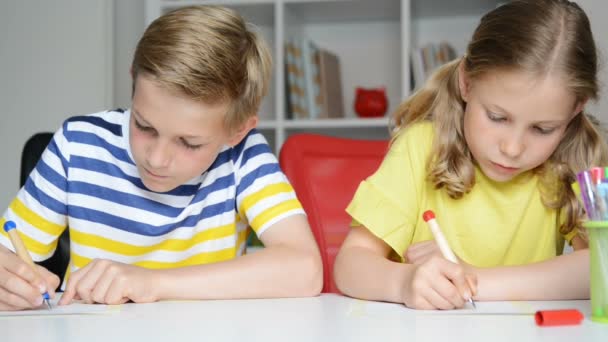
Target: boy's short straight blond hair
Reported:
[(209, 54)]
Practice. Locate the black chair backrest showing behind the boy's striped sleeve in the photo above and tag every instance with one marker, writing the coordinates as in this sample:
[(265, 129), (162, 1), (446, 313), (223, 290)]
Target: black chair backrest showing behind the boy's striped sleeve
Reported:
[(32, 151)]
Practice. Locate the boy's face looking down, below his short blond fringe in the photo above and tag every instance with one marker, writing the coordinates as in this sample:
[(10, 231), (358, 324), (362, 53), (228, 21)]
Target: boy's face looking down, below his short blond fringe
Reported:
[(173, 139)]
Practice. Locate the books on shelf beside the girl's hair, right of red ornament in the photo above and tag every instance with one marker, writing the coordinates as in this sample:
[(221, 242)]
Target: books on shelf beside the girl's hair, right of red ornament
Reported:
[(426, 59)]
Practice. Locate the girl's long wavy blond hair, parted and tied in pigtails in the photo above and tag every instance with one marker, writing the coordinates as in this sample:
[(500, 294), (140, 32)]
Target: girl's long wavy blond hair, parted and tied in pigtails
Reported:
[(540, 37)]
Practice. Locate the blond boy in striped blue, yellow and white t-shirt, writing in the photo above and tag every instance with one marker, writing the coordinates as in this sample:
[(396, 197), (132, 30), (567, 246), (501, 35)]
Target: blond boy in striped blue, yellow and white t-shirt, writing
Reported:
[(158, 198)]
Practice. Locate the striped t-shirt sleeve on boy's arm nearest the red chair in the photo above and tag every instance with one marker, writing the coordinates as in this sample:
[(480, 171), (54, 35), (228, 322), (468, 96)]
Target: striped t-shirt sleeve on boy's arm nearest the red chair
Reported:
[(263, 193)]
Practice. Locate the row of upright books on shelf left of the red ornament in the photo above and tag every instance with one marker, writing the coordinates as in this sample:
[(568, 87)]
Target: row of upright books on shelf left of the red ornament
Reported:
[(313, 85)]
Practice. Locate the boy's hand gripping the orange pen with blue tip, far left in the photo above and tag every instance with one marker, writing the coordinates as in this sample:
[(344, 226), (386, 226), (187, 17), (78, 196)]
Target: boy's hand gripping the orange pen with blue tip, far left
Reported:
[(20, 287)]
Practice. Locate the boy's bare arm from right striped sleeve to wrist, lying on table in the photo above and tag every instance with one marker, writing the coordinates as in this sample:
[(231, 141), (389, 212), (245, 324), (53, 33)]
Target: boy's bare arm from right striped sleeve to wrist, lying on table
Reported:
[(288, 266)]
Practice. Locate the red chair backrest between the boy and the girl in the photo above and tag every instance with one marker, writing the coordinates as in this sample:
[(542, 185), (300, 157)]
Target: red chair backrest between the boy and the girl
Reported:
[(325, 173)]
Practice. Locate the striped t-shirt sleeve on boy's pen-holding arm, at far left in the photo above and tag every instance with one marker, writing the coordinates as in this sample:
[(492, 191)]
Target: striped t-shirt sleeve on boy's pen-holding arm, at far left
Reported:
[(39, 210)]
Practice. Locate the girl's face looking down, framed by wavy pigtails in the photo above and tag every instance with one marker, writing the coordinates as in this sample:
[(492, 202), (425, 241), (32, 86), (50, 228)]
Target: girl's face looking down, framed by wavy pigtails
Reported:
[(513, 122)]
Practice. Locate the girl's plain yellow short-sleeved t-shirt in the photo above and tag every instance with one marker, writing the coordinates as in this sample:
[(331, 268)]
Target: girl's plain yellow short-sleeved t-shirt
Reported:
[(494, 224)]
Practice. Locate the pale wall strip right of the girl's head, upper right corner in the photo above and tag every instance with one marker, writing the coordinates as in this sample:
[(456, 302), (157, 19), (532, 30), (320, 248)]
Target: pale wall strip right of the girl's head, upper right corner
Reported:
[(597, 10)]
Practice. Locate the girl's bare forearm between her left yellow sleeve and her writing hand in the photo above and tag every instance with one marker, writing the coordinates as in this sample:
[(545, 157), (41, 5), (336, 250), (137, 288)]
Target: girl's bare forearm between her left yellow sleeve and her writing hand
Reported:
[(363, 274)]
